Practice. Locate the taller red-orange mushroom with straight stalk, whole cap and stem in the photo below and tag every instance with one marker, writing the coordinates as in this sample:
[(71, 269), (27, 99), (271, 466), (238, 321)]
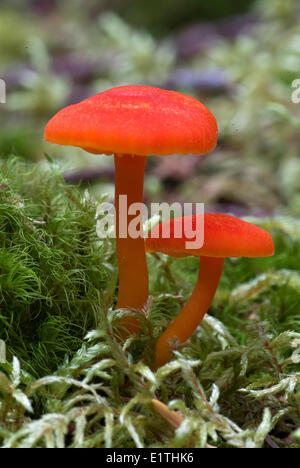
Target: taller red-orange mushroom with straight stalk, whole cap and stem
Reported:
[(132, 122)]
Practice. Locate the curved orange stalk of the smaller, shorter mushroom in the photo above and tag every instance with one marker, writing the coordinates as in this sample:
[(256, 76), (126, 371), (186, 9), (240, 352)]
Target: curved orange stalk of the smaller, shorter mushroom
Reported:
[(191, 315)]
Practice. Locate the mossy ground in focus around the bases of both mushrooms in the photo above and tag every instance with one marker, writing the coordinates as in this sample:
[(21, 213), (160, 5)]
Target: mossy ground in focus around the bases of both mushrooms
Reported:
[(68, 381)]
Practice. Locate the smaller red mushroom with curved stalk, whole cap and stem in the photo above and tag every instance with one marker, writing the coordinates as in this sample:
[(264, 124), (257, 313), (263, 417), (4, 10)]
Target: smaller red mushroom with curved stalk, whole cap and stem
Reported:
[(224, 236)]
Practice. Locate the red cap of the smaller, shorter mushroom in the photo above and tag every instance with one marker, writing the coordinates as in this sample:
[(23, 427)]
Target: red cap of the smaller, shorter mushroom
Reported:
[(224, 236)]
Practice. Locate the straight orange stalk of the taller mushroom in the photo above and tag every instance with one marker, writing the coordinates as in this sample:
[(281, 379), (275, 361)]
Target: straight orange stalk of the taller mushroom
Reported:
[(133, 273)]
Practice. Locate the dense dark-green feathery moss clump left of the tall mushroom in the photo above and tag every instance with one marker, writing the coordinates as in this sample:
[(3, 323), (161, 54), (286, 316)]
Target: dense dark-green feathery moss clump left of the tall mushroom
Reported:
[(53, 268)]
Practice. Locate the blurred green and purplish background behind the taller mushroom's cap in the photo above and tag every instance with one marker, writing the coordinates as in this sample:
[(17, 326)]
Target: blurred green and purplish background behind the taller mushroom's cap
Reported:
[(240, 58)]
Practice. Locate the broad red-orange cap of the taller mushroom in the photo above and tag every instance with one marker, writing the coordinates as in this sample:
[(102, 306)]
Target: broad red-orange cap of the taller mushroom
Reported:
[(139, 120)]
